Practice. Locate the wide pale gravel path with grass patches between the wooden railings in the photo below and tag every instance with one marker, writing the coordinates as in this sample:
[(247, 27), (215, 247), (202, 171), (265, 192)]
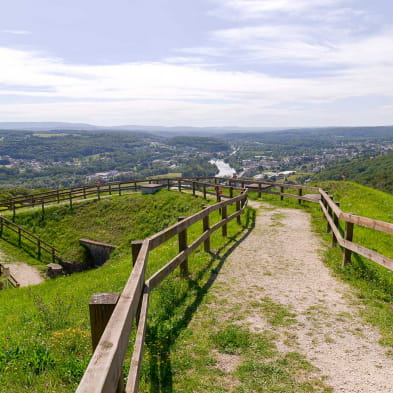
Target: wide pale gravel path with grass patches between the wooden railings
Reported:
[(281, 265)]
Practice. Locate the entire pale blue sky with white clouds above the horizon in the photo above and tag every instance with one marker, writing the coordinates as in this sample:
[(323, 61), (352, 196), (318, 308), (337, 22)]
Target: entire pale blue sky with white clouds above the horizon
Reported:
[(249, 63)]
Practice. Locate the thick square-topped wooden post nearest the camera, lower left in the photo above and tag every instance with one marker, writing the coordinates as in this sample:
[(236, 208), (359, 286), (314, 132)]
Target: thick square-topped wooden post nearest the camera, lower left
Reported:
[(101, 307)]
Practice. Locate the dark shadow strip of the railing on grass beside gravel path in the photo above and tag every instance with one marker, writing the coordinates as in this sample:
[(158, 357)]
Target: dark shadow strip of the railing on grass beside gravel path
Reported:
[(162, 334)]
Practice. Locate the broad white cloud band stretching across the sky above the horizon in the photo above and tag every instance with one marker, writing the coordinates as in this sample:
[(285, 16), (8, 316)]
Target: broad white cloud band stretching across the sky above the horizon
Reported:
[(174, 94)]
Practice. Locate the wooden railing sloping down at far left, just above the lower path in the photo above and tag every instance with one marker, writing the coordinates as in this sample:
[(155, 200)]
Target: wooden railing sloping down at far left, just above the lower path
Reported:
[(39, 244)]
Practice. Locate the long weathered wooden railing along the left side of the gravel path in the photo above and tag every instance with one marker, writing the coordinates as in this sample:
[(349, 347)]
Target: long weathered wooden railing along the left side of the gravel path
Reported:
[(105, 367)]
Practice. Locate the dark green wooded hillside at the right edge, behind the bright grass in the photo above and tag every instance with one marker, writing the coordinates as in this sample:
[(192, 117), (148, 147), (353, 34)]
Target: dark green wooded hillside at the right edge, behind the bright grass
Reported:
[(372, 172)]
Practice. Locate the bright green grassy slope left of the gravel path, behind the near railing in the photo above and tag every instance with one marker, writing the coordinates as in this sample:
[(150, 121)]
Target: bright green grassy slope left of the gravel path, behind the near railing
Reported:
[(44, 330)]
